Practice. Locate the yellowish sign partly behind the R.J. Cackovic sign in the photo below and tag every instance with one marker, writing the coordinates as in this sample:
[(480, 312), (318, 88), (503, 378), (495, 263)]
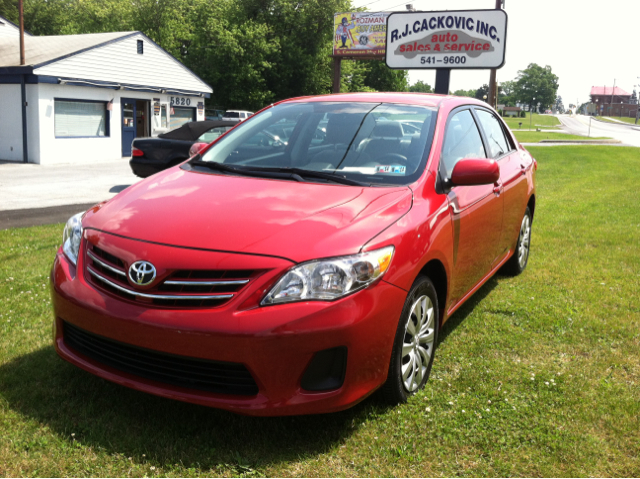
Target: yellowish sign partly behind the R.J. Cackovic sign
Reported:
[(360, 34)]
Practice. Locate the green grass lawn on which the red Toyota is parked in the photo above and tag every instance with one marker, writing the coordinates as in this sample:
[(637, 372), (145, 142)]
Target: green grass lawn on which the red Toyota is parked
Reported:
[(537, 375)]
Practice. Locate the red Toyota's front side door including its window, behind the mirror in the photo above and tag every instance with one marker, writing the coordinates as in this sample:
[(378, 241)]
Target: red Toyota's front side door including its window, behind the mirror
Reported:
[(476, 211)]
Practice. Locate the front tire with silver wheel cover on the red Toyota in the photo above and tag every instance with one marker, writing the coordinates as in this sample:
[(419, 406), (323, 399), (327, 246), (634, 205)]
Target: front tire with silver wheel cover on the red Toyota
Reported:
[(420, 308)]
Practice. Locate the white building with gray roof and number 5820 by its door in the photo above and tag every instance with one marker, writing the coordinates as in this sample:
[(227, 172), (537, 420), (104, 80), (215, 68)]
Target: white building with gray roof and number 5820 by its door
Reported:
[(89, 96)]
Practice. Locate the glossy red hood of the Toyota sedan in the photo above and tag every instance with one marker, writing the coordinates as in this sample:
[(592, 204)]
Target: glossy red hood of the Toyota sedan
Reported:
[(288, 219)]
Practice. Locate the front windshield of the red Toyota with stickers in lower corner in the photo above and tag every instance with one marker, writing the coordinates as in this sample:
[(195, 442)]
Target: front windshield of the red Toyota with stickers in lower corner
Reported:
[(372, 143)]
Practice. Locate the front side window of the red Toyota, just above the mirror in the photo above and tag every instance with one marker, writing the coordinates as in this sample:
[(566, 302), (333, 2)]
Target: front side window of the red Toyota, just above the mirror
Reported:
[(461, 140)]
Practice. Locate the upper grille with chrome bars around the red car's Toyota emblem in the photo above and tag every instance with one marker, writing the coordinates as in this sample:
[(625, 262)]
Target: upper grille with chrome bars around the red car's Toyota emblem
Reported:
[(181, 288)]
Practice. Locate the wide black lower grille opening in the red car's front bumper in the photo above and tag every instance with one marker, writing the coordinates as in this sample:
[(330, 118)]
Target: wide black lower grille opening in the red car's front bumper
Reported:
[(191, 373)]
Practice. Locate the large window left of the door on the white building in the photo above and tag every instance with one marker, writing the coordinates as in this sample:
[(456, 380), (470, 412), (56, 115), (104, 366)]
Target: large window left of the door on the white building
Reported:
[(80, 118)]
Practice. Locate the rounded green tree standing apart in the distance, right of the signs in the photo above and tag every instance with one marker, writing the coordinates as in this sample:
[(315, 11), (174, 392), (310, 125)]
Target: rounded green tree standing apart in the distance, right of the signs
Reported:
[(536, 82)]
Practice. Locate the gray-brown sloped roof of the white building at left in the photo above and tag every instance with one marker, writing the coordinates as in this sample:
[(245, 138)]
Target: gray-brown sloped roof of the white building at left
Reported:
[(45, 49)]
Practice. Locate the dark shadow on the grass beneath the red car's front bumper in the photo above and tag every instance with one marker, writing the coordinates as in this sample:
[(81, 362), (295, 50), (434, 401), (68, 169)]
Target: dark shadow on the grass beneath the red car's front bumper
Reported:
[(130, 423)]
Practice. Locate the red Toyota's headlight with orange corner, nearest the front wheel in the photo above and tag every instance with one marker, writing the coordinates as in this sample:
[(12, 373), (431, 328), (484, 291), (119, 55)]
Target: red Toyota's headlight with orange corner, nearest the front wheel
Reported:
[(330, 279)]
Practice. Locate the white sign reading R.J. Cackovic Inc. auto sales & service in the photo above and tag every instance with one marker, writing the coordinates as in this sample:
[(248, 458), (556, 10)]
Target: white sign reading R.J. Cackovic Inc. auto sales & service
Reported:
[(450, 39)]
